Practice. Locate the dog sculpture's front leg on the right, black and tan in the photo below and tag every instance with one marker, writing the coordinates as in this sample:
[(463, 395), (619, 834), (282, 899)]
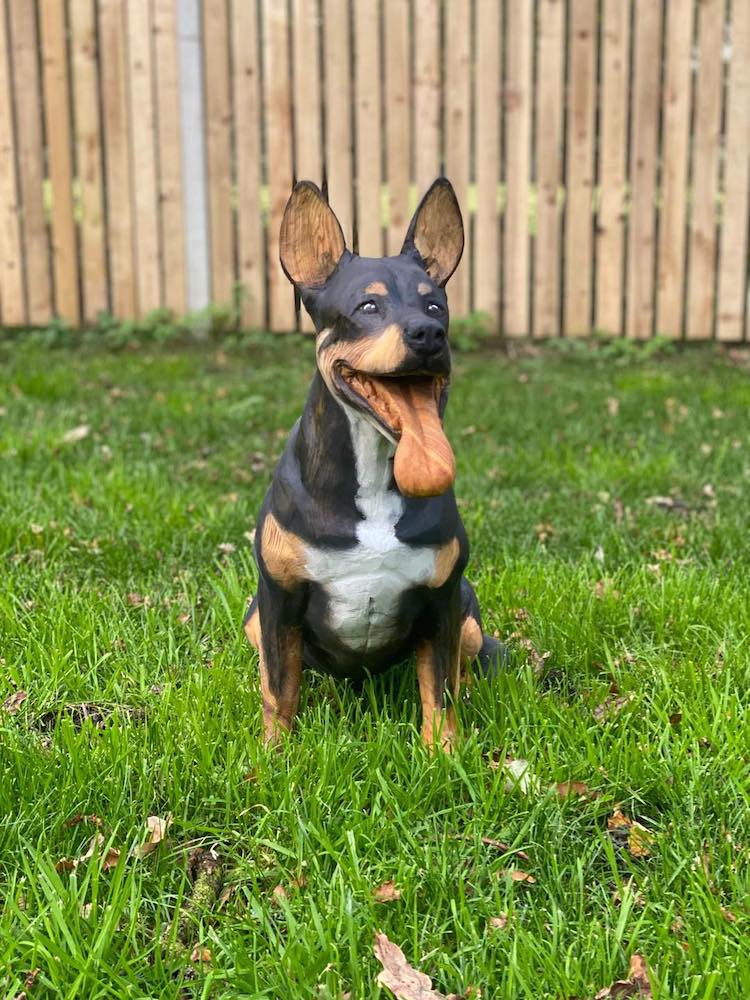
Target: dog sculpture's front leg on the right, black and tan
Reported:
[(438, 669)]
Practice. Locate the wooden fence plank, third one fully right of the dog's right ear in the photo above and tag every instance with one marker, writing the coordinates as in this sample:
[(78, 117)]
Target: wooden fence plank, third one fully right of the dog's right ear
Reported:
[(548, 168)]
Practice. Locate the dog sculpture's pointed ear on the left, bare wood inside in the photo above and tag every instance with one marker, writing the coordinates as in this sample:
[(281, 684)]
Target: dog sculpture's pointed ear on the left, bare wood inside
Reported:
[(311, 242)]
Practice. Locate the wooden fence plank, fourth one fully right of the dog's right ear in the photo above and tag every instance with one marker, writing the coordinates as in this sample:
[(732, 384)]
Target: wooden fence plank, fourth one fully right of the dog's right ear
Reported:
[(579, 183)]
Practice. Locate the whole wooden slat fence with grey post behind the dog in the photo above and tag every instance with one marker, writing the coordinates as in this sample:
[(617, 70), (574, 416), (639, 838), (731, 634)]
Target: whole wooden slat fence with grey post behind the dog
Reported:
[(600, 150)]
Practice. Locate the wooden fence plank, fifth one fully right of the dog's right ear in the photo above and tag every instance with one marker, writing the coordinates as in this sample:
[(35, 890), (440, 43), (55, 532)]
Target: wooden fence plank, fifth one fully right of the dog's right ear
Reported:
[(613, 136)]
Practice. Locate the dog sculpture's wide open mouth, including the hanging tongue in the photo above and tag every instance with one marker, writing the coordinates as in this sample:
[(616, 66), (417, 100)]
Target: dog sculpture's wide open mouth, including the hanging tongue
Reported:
[(407, 407)]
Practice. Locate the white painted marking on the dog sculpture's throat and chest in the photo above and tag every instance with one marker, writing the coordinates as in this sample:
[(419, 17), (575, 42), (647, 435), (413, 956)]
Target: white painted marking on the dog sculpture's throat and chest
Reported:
[(364, 583)]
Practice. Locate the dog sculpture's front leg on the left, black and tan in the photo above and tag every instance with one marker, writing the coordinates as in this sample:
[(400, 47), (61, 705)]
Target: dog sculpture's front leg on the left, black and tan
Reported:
[(280, 655)]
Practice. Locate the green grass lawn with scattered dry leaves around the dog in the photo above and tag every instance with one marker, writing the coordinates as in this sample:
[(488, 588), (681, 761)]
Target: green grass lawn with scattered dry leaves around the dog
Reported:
[(126, 566)]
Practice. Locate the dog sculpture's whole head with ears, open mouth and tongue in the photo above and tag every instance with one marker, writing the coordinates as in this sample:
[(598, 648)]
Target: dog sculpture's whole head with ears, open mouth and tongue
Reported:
[(382, 344)]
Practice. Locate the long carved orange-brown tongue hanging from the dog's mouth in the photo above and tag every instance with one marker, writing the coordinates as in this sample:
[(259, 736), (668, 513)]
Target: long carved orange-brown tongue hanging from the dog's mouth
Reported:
[(424, 465)]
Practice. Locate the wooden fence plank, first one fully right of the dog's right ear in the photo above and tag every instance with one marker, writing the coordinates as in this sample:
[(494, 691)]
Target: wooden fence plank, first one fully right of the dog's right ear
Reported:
[(486, 270)]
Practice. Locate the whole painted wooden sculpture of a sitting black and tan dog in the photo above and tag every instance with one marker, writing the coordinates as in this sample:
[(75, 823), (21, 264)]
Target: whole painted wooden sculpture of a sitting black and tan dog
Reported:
[(359, 545)]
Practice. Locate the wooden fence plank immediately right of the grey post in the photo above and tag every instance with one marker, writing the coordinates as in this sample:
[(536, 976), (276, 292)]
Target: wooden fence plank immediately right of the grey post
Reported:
[(218, 147)]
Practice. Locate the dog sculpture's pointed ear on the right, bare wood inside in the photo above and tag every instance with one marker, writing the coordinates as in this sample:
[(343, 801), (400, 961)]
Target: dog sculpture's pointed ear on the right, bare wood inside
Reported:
[(436, 233)]
